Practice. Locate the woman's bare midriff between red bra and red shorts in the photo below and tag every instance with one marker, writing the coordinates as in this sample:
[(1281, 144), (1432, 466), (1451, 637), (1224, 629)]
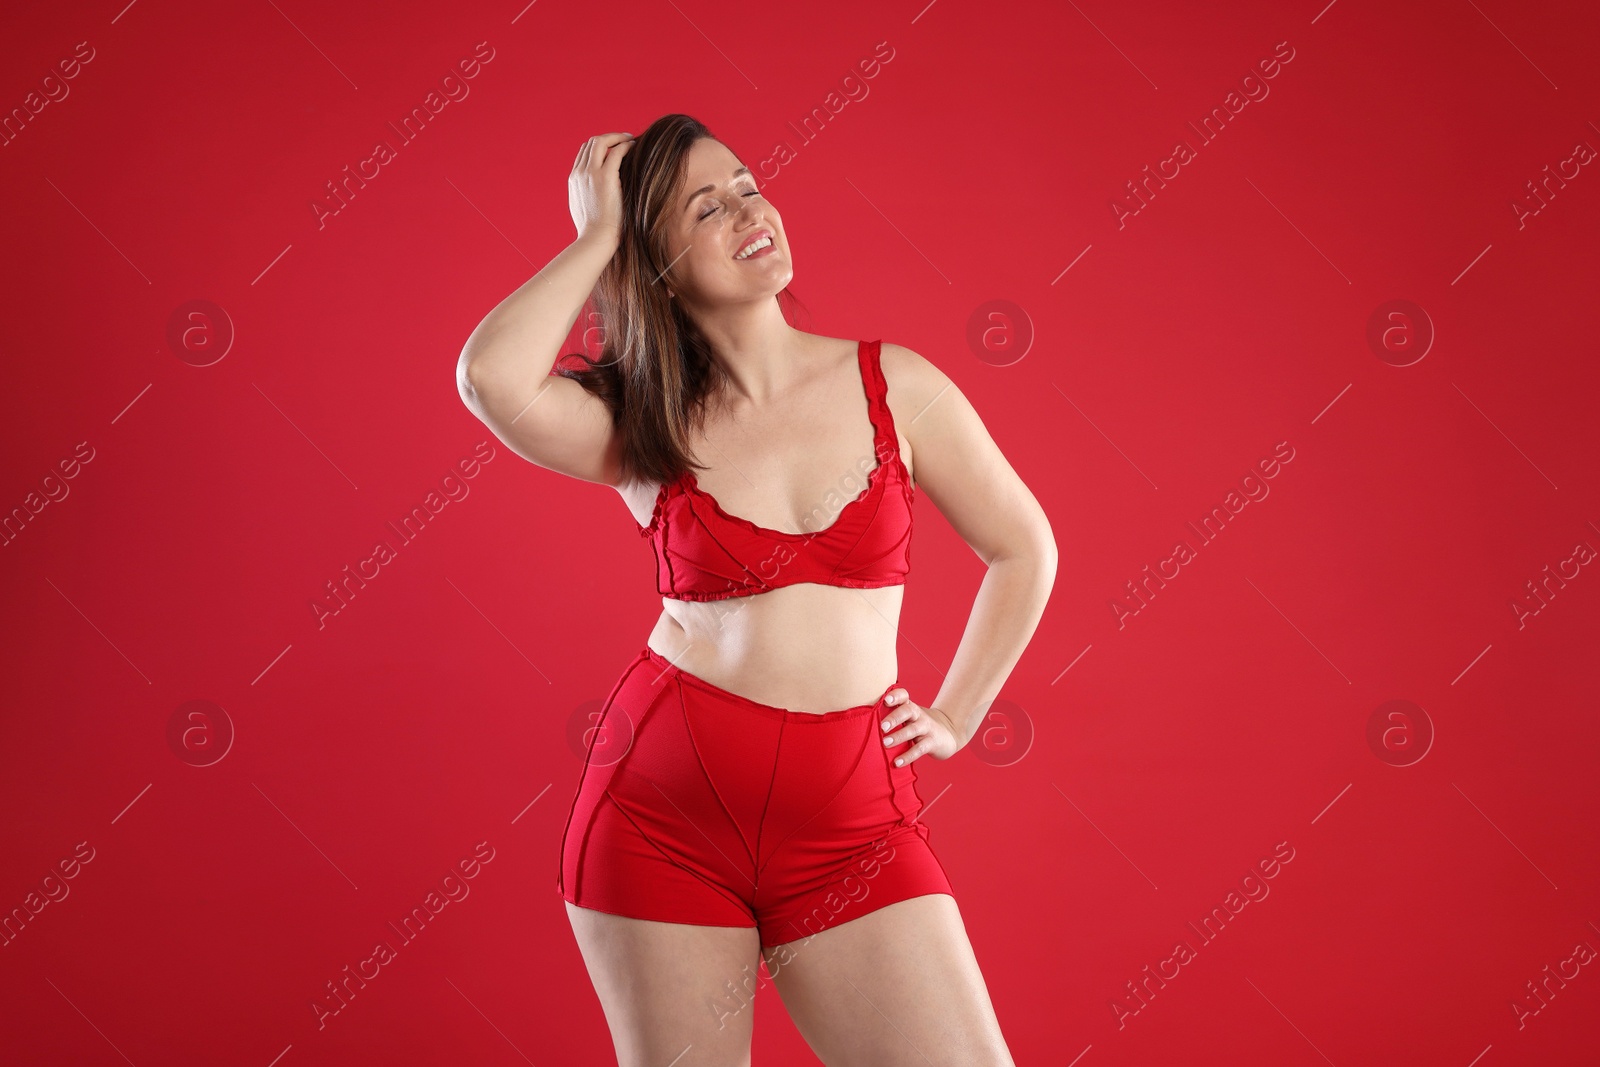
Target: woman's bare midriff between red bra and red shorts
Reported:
[(804, 649)]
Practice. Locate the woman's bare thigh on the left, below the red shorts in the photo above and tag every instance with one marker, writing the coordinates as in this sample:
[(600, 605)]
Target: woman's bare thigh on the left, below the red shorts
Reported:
[(673, 993)]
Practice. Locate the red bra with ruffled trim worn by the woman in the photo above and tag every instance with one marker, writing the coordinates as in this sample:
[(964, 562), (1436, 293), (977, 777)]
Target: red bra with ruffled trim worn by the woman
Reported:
[(706, 554)]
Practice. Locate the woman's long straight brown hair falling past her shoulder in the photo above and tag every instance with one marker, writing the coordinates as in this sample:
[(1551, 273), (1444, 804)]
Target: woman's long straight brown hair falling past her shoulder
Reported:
[(655, 369)]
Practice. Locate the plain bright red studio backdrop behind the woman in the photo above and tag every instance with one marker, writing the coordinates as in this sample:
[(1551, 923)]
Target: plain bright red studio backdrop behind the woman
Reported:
[(375, 751)]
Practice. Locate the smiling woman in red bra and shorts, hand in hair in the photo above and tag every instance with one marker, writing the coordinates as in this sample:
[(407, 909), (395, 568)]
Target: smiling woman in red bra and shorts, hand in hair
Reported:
[(751, 791)]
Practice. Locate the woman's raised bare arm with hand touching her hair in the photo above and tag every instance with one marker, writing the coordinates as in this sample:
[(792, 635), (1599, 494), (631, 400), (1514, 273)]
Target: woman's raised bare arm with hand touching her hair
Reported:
[(505, 367)]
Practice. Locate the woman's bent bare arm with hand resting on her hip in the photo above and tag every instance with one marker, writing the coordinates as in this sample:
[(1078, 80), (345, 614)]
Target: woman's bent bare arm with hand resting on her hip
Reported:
[(967, 478)]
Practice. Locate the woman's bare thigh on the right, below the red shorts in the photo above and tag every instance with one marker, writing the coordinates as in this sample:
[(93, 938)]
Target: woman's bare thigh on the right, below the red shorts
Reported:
[(895, 986)]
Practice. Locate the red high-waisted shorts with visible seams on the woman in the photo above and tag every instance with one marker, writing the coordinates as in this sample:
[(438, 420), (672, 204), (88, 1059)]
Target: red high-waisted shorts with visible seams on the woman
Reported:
[(702, 807)]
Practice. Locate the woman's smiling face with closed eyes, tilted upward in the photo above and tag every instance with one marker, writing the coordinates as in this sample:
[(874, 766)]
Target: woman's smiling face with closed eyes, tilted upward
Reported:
[(718, 212)]
